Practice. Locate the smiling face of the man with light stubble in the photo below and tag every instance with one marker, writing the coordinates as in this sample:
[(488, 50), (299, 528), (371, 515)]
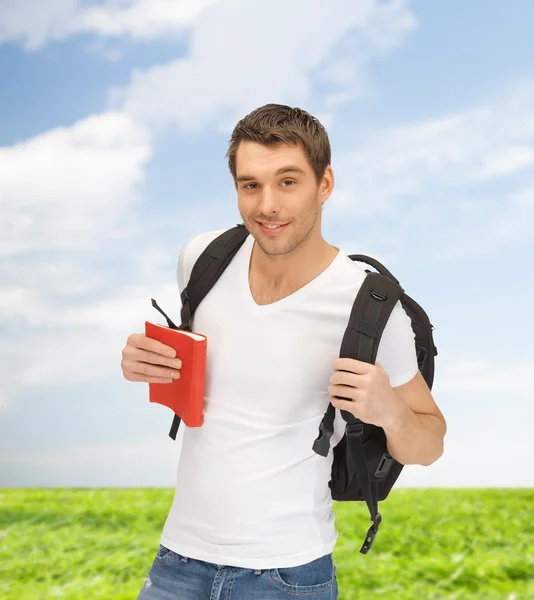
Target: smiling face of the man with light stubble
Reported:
[(292, 198)]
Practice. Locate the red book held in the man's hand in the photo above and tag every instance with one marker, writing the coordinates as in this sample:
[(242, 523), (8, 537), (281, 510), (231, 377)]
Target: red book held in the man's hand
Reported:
[(185, 396)]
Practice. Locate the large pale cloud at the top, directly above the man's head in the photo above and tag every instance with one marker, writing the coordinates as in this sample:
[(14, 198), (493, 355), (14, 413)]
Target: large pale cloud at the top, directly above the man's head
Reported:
[(260, 56)]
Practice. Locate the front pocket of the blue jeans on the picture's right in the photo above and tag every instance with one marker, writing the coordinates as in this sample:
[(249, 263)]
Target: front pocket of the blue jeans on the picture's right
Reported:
[(313, 578)]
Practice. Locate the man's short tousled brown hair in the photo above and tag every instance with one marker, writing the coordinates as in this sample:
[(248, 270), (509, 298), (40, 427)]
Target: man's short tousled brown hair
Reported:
[(275, 124)]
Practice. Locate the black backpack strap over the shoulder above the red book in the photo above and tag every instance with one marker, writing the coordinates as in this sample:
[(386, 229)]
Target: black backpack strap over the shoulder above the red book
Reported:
[(209, 266)]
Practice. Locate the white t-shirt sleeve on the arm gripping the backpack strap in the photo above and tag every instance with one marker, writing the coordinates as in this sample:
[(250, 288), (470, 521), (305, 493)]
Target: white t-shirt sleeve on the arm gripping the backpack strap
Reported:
[(396, 351)]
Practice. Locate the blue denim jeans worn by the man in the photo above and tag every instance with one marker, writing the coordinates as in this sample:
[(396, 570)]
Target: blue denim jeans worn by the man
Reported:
[(176, 577)]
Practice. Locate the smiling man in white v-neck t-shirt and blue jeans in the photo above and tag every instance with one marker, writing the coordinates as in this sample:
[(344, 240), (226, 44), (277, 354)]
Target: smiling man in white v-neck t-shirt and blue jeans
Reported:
[(252, 513)]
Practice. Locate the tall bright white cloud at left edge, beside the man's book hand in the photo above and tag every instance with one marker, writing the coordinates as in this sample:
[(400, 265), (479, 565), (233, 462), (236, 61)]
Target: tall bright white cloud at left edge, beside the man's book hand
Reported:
[(66, 199)]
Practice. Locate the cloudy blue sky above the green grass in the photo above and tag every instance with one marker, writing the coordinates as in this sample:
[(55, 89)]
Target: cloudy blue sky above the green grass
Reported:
[(114, 124)]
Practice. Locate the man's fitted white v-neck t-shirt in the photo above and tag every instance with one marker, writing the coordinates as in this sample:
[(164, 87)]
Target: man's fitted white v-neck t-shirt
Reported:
[(251, 492)]
